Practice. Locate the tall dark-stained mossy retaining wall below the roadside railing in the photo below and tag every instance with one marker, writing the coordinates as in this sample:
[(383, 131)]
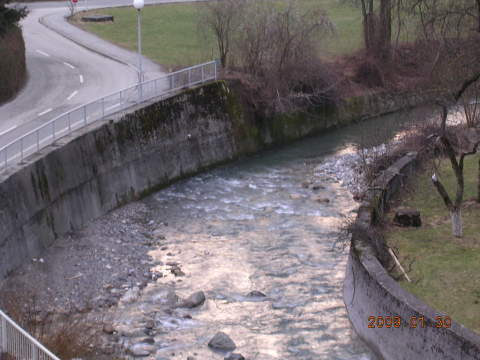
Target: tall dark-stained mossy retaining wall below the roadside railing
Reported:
[(113, 162)]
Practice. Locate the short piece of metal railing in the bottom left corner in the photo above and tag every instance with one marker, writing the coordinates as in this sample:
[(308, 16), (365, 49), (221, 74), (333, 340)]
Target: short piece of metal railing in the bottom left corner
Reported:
[(17, 343)]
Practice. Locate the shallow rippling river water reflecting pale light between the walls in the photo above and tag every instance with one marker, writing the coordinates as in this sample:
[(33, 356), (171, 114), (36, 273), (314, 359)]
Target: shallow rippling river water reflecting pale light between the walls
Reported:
[(252, 226)]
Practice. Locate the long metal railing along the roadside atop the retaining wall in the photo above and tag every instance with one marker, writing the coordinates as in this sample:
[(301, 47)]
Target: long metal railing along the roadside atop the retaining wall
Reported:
[(81, 116)]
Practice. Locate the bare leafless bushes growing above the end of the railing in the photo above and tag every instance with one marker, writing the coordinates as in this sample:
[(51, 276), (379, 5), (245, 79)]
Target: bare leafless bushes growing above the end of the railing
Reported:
[(275, 47)]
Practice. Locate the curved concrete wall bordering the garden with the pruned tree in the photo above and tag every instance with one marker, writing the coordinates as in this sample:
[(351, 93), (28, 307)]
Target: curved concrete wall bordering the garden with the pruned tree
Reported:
[(370, 291)]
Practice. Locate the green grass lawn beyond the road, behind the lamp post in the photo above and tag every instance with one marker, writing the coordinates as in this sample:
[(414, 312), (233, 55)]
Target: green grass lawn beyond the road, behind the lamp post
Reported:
[(171, 35)]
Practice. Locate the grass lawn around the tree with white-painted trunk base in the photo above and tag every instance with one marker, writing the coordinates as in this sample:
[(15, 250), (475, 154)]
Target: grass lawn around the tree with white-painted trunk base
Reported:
[(445, 269)]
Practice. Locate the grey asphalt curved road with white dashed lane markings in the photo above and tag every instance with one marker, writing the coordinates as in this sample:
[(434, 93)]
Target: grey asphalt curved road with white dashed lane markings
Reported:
[(66, 67)]
